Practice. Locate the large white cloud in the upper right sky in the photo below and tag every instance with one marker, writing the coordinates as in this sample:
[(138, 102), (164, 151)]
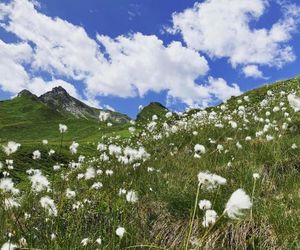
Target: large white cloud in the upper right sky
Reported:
[(221, 28)]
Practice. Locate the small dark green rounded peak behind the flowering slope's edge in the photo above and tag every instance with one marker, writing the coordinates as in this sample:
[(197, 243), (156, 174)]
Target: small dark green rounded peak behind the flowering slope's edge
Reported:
[(154, 108)]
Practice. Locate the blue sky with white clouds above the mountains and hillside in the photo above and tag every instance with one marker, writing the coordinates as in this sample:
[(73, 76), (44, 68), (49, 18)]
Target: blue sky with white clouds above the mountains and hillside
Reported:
[(120, 54)]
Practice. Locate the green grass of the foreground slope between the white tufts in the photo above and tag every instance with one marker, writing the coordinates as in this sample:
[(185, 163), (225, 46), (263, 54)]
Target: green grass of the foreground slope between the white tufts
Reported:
[(162, 216)]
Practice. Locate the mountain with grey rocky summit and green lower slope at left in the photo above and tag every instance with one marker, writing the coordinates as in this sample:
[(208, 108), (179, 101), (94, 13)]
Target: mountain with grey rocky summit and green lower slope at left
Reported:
[(28, 117)]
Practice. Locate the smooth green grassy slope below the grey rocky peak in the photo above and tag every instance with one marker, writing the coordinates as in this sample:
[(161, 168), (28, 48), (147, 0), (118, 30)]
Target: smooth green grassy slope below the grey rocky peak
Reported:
[(26, 120)]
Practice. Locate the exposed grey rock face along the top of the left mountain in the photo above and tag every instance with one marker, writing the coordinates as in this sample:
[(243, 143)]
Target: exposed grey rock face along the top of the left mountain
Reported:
[(59, 100)]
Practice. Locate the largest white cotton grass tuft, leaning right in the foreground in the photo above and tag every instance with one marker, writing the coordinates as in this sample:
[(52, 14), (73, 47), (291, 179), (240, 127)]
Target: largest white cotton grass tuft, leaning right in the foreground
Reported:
[(238, 201)]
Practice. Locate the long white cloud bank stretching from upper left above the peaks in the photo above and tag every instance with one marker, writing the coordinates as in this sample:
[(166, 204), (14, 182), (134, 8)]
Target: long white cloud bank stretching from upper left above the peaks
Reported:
[(125, 66)]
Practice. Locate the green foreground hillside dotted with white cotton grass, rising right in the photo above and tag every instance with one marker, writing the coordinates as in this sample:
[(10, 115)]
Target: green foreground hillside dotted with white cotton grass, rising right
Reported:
[(142, 190)]
